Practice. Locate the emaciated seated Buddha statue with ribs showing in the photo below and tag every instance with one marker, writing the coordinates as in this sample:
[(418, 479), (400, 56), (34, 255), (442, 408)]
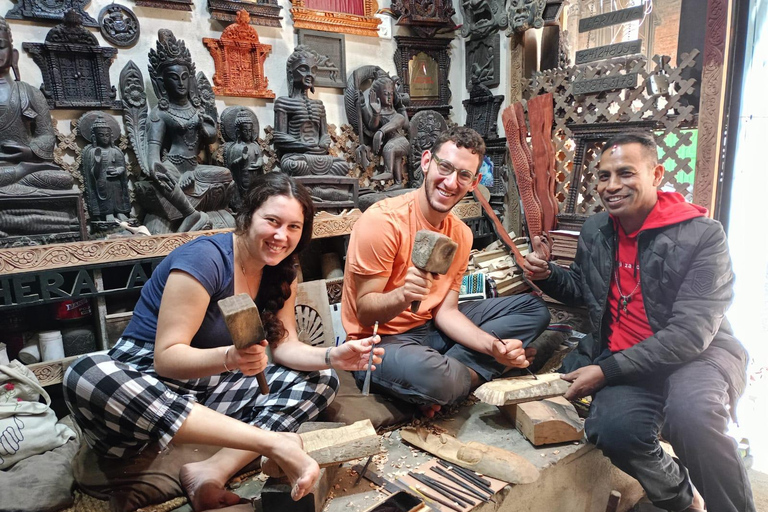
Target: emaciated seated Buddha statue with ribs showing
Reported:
[(301, 130)]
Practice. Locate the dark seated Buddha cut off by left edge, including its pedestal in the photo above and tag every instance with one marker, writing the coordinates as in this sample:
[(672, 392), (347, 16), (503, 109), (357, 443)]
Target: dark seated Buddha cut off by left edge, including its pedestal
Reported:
[(27, 140)]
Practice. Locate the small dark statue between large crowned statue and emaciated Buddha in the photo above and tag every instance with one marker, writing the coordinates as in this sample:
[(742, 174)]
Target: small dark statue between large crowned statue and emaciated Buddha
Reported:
[(242, 154)]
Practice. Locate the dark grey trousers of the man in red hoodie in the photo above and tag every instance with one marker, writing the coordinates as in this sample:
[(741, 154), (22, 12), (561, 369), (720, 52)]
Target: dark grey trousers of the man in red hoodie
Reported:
[(689, 409)]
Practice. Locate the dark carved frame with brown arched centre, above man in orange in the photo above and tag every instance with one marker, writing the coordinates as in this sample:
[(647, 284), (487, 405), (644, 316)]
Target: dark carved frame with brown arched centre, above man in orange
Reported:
[(424, 65)]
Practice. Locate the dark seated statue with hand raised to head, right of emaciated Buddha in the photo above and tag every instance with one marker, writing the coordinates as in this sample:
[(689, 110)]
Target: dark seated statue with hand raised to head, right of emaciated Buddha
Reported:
[(386, 127)]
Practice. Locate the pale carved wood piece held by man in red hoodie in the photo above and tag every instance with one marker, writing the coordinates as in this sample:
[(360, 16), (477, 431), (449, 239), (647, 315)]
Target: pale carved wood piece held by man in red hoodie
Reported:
[(522, 389)]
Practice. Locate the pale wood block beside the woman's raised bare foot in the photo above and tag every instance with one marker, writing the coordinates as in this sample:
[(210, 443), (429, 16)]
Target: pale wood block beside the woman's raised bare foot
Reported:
[(336, 445)]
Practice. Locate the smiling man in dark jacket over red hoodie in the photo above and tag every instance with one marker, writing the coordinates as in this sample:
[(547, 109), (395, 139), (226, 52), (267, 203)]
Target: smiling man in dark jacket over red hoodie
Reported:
[(655, 275)]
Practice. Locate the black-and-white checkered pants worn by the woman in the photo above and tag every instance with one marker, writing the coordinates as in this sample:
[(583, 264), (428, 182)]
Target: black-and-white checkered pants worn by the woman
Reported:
[(122, 405)]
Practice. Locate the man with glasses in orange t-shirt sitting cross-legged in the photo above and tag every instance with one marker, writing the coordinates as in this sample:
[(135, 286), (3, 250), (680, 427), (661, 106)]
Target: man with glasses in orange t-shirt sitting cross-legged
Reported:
[(438, 355)]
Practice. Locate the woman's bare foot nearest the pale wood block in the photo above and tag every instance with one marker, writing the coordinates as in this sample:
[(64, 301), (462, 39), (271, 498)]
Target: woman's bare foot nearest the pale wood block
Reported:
[(289, 456)]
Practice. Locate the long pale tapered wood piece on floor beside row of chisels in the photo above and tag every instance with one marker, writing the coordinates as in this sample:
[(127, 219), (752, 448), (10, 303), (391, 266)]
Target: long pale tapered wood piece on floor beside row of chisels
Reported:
[(482, 458)]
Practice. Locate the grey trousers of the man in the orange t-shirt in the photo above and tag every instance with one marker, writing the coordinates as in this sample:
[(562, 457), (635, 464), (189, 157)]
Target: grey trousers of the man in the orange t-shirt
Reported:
[(424, 366)]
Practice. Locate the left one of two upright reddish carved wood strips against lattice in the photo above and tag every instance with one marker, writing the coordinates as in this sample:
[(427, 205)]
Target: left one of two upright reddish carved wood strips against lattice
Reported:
[(522, 161)]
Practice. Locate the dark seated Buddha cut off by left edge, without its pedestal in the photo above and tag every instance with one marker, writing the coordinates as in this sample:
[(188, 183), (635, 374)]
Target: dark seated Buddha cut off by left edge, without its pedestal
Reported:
[(26, 132)]
